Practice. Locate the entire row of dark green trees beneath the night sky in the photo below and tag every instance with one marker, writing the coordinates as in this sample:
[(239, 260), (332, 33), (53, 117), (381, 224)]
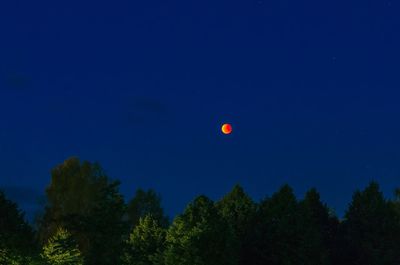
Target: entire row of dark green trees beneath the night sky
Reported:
[(86, 221)]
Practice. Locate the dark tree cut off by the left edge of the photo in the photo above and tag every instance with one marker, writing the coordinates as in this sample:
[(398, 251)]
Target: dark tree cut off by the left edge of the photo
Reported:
[(16, 235)]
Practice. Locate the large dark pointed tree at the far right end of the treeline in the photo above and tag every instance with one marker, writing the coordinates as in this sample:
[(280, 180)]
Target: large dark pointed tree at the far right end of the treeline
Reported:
[(371, 229)]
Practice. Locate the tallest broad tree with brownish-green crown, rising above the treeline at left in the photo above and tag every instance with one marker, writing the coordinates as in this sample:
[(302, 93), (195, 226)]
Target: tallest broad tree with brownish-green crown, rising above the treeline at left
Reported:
[(73, 192)]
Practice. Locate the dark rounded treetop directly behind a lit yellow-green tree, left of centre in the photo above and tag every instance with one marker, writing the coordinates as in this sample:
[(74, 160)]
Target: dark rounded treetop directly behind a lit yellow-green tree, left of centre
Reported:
[(146, 203)]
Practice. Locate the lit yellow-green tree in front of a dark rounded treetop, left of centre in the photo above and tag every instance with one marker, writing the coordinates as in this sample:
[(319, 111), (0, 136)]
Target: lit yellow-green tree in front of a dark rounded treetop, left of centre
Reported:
[(146, 243)]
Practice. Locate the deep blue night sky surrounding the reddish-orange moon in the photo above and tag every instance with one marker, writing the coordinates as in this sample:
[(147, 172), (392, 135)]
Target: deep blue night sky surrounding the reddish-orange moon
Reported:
[(311, 88)]
